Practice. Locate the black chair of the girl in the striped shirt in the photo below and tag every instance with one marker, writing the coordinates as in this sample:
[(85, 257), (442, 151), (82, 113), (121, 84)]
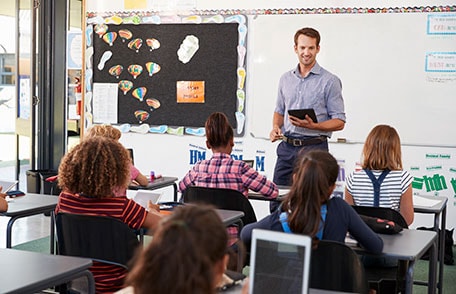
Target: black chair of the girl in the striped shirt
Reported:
[(385, 279)]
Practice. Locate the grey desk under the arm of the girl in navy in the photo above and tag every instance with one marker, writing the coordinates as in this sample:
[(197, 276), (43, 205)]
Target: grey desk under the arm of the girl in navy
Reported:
[(410, 245)]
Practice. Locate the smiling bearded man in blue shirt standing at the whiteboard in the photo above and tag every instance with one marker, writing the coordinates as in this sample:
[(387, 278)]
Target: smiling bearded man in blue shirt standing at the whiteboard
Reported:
[(306, 86)]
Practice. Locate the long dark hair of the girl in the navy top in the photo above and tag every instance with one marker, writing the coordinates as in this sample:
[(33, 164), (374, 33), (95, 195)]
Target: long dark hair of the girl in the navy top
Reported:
[(313, 178)]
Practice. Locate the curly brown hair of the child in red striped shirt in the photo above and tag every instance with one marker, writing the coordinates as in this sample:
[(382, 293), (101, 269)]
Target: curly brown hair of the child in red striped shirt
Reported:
[(95, 167)]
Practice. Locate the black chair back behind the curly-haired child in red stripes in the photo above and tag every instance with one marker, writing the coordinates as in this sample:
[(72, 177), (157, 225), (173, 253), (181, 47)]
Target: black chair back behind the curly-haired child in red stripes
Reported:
[(100, 238)]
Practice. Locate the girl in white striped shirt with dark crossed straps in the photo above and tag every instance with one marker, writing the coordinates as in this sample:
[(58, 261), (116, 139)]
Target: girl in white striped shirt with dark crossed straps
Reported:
[(382, 153)]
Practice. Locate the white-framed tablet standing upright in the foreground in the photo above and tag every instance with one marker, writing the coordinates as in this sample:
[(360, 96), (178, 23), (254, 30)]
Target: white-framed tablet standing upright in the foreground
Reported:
[(279, 262)]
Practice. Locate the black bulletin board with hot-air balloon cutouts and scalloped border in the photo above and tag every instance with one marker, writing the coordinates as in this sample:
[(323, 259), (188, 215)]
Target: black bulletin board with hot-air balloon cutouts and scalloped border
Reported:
[(166, 75)]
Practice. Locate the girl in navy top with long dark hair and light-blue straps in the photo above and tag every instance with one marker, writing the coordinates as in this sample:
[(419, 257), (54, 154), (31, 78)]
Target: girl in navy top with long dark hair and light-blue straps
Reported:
[(309, 210)]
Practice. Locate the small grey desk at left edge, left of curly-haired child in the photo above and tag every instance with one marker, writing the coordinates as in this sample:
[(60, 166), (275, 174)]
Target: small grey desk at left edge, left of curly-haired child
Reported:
[(28, 205)]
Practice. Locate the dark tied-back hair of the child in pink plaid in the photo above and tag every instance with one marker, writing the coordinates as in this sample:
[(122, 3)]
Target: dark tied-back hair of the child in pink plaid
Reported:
[(218, 130)]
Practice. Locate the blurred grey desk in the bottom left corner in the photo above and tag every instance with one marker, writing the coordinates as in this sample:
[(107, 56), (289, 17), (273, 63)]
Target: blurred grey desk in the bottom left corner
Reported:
[(31, 272)]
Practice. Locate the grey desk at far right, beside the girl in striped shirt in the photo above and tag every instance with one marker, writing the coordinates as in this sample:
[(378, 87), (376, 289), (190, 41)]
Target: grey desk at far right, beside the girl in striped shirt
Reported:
[(439, 211)]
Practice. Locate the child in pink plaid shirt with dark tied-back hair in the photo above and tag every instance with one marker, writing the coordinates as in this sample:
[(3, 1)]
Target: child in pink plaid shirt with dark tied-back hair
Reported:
[(221, 171)]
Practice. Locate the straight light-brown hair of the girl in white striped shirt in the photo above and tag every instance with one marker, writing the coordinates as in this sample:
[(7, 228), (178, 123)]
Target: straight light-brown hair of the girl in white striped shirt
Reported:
[(382, 149)]
